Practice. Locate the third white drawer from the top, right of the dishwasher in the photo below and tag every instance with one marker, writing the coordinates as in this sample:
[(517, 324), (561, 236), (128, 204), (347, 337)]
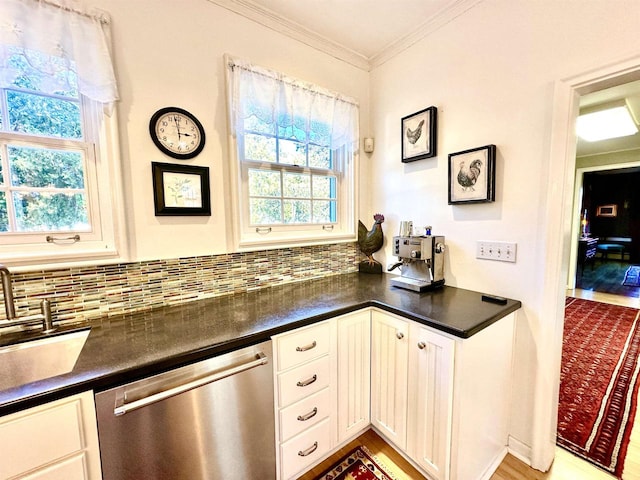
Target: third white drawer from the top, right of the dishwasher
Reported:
[(304, 414)]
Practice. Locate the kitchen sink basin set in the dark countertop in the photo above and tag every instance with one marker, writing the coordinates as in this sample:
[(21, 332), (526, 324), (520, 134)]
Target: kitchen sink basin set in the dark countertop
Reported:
[(41, 358)]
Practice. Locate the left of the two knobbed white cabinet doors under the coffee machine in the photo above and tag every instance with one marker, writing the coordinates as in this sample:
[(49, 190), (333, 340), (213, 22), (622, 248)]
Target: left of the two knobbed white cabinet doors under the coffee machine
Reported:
[(389, 376)]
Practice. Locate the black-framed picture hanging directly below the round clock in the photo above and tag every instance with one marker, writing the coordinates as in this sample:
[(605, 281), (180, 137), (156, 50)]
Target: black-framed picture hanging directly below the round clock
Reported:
[(180, 189)]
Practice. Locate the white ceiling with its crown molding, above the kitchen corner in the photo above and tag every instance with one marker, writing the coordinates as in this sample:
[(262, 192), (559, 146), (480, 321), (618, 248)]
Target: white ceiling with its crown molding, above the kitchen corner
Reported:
[(364, 33)]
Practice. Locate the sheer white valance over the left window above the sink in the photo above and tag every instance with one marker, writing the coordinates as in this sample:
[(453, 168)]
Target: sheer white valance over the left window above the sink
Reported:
[(63, 29)]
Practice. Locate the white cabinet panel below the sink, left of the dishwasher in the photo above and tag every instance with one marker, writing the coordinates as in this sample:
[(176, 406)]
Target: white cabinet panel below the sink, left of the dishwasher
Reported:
[(34, 439)]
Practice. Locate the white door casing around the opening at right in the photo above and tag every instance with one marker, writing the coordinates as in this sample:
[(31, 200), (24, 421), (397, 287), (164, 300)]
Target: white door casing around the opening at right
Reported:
[(557, 189)]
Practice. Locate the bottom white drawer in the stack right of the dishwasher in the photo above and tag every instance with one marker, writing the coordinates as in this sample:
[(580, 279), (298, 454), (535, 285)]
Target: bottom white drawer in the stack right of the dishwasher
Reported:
[(303, 450)]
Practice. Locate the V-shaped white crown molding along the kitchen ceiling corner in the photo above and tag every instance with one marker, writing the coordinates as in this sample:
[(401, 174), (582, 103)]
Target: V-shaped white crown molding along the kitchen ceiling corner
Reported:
[(276, 22)]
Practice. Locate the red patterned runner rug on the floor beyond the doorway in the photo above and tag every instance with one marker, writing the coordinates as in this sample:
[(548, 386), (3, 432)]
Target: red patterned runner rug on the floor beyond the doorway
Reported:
[(598, 381)]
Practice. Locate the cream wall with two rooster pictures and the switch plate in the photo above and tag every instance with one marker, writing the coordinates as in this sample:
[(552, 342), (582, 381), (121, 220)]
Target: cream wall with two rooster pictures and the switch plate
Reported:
[(491, 72)]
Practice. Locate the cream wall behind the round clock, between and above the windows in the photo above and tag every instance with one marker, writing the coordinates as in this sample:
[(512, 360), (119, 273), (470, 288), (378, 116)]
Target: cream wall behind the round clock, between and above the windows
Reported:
[(170, 53)]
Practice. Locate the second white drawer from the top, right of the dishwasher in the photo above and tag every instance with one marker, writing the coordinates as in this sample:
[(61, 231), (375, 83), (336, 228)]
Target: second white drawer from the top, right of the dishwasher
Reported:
[(302, 381)]
